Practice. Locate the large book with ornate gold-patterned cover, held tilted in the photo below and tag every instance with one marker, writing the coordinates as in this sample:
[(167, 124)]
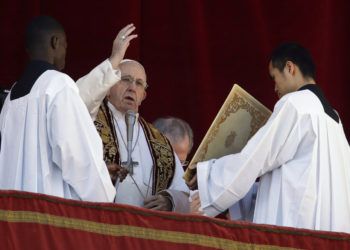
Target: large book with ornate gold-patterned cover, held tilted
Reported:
[(239, 118)]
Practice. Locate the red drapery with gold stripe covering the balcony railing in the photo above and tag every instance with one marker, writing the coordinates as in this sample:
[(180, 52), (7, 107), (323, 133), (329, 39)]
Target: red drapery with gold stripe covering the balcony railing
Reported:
[(36, 221)]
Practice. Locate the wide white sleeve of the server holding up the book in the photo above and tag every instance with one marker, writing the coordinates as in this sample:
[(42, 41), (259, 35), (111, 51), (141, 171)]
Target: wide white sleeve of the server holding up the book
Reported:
[(224, 181)]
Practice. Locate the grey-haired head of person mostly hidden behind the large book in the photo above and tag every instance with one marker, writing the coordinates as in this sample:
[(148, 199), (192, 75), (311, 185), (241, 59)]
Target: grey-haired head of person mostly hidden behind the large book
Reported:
[(179, 134)]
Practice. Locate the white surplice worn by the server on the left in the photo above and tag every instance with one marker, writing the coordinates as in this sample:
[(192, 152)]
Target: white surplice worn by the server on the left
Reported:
[(49, 143)]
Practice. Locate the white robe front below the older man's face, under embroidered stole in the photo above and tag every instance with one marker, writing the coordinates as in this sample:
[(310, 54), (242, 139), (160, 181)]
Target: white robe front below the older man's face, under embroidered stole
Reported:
[(133, 191)]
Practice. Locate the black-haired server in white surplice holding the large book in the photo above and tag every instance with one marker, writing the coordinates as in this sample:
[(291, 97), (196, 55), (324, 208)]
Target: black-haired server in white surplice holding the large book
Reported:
[(301, 156)]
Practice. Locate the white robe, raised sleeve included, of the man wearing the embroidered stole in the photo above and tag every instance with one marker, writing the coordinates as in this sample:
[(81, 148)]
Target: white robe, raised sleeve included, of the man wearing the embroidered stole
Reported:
[(93, 89)]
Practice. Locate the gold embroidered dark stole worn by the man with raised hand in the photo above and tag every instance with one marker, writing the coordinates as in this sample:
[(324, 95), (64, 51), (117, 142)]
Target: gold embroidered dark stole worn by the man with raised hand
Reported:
[(160, 148)]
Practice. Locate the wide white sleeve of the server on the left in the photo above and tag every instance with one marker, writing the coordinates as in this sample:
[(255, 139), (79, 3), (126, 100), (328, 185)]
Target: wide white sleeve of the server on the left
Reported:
[(77, 147)]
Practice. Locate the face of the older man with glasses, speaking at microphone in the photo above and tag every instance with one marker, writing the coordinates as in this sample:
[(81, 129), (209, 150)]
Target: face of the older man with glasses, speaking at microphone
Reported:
[(130, 91)]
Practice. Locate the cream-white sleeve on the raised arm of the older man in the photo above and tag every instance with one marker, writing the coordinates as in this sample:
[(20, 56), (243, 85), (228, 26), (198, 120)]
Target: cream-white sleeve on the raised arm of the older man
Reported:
[(94, 86)]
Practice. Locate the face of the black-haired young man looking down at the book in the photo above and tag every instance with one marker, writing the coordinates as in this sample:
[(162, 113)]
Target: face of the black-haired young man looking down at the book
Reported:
[(283, 80)]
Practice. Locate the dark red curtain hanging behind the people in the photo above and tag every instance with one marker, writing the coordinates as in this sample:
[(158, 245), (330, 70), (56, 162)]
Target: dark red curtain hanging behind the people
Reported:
[(193, 50)]
